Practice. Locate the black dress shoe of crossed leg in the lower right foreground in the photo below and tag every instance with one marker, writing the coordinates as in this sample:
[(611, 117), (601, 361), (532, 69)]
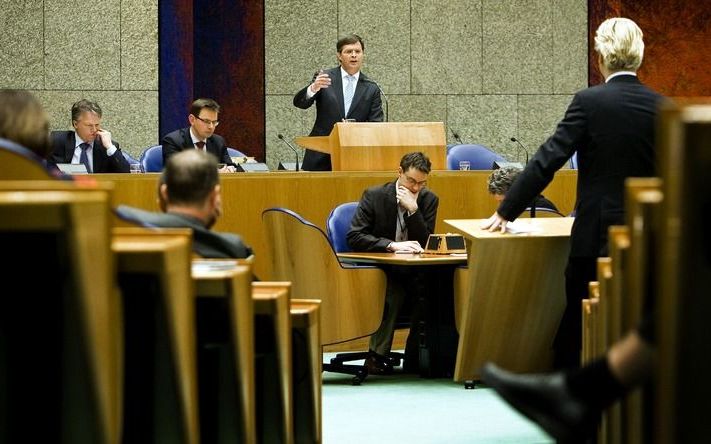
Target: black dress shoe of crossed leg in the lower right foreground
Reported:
[(546, 400)]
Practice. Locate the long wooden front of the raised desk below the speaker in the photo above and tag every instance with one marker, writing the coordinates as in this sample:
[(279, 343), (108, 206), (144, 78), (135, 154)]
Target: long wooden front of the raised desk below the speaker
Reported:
[(463, 195)]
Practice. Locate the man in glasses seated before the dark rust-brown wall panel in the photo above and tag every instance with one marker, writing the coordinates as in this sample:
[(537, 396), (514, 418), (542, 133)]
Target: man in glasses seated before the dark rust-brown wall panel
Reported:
[(200, 135)]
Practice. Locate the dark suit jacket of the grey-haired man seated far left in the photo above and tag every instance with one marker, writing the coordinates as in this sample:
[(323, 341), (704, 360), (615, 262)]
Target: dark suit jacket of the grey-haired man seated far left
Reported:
[(64, 144)]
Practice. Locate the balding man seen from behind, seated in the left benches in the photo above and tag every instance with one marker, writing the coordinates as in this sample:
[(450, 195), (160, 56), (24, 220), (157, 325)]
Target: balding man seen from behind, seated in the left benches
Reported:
[(189, 196)]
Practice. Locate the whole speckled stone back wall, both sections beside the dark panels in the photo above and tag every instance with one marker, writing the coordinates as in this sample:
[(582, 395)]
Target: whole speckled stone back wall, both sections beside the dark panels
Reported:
[(490, 69)]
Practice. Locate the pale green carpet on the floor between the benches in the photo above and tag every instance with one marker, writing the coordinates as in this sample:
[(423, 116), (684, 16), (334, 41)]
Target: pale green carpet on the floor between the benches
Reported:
[(410, 409)]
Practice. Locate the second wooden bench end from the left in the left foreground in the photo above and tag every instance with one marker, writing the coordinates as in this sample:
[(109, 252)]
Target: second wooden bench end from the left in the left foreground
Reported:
[(159, 311)]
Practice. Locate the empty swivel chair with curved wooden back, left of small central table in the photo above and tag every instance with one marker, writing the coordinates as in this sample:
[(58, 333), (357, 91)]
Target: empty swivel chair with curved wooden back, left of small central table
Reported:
[(352, 298)]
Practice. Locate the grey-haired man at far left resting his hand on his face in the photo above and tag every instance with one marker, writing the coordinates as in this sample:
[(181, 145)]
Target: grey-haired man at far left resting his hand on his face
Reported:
[(88, 144)]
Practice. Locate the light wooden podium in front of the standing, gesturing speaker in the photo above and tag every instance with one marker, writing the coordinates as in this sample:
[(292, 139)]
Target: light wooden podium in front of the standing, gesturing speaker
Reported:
[(379, 146)]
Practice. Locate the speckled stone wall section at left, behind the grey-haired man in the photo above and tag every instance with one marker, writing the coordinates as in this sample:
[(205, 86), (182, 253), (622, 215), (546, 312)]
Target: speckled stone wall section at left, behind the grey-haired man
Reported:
[(103, 50)]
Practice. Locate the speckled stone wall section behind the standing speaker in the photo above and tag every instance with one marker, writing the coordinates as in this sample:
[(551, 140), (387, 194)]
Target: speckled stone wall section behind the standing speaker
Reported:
[(490, 69)]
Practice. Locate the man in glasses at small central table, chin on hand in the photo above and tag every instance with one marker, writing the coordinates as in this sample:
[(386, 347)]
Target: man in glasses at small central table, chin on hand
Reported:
[(398, 216)]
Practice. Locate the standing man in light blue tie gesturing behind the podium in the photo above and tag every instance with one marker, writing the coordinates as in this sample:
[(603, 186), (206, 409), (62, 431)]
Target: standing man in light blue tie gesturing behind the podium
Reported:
[(341, 94)]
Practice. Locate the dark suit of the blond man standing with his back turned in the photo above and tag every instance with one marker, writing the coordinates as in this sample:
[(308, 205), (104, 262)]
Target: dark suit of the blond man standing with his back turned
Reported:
[(611, 126)]
